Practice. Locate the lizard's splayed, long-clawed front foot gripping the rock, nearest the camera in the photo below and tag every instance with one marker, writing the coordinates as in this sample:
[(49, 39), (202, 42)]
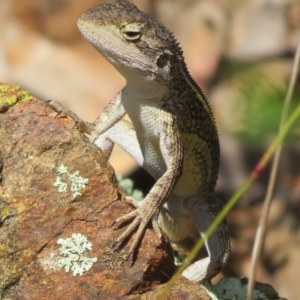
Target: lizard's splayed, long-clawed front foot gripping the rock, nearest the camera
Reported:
[(142, 216)]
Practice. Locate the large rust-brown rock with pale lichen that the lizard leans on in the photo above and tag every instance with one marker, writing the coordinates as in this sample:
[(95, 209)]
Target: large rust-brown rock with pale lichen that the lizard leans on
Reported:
[(35, 213)]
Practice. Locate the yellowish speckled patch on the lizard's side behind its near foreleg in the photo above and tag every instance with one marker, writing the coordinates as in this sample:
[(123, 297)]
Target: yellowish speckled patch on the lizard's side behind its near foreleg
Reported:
[(197, 166)]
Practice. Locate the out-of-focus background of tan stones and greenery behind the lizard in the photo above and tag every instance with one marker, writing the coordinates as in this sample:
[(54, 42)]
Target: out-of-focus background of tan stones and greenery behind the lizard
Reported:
[(239, 52)]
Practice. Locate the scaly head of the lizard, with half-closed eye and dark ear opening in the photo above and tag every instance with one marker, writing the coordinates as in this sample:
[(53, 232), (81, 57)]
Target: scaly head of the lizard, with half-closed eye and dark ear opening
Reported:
[(138, 46)]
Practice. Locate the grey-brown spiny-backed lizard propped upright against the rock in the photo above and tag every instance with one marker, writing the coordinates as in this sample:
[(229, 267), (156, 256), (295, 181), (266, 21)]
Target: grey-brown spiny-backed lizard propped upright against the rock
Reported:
[(172, 133)]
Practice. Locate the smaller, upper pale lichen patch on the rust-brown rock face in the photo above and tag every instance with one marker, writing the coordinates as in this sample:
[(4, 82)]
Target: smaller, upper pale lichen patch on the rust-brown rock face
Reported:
[(77, 182)]
